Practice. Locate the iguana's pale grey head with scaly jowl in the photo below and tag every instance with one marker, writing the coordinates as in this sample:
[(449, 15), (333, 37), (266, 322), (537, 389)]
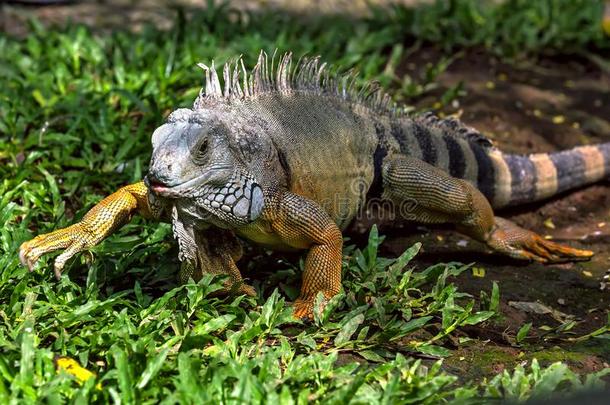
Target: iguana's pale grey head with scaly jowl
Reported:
[(194, 158)]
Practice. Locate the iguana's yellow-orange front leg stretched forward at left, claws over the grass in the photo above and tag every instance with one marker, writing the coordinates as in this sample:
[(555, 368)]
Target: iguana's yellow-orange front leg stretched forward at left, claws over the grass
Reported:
[(103, 219)]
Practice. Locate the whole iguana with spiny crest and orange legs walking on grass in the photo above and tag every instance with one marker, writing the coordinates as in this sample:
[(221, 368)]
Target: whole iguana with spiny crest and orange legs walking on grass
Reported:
[(285, 157)]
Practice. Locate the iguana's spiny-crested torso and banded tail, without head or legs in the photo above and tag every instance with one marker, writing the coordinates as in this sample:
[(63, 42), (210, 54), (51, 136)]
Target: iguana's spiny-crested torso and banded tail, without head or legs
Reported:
[(332, 139)]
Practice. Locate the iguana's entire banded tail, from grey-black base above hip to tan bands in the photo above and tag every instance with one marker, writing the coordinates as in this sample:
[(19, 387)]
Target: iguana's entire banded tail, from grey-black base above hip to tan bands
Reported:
[(505, 179)]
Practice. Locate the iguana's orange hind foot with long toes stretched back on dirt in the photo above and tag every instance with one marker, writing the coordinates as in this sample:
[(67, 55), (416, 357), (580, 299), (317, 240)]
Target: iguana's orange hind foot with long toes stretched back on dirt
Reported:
[(519, 243)]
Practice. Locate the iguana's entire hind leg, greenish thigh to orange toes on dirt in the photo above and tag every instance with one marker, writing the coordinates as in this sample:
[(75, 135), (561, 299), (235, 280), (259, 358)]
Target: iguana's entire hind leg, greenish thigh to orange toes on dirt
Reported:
[(433, 196)]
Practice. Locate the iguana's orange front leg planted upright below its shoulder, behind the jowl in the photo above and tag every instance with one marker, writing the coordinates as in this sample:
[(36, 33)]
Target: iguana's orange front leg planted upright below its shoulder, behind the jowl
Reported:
[(301, 223)]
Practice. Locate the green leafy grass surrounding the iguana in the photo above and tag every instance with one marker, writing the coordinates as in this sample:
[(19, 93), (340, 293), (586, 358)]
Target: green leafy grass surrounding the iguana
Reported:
[(76, 113)]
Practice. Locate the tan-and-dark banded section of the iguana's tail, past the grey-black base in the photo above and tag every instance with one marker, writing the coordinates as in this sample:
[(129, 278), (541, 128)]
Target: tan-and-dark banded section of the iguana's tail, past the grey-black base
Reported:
[(522, 179)]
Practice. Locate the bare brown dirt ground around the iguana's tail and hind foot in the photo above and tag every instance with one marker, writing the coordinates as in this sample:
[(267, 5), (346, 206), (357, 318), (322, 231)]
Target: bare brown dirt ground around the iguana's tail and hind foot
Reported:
[(552, 104)]
